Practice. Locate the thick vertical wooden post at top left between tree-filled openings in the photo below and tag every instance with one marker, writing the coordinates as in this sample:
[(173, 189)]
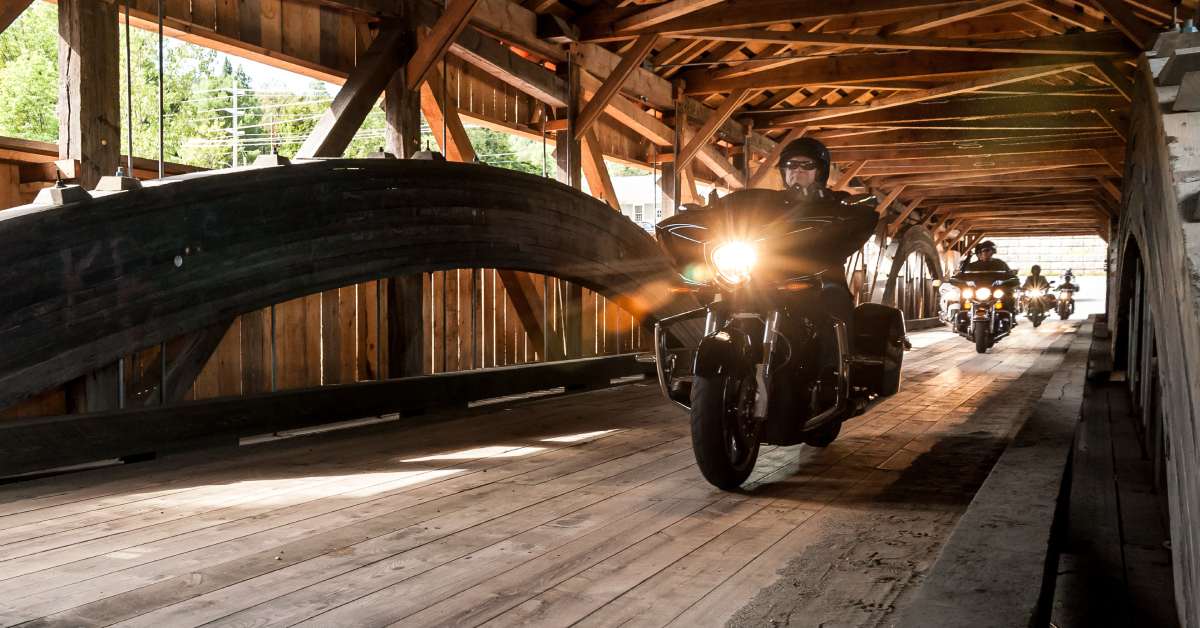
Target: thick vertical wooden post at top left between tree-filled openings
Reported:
[(89, 111)]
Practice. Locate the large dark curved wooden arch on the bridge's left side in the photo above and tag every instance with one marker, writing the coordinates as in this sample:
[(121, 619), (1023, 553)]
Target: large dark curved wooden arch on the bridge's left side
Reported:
[(91, 282)]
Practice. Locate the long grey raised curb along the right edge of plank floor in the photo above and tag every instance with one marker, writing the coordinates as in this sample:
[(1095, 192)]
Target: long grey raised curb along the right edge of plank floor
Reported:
[(993, 571)]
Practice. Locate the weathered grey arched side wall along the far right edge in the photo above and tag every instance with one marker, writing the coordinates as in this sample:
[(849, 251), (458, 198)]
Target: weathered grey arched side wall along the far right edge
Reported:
[(1155, 303)]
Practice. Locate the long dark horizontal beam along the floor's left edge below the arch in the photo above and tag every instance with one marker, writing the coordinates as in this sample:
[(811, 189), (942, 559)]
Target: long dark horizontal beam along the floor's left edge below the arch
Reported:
[(40, 444)]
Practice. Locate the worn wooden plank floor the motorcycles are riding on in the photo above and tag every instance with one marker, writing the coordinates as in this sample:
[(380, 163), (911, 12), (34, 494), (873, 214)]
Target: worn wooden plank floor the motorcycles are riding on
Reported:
[(586, 510)]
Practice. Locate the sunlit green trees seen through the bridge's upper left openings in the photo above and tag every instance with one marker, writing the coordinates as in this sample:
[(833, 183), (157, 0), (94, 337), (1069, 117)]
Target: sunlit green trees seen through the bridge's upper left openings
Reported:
[(212, 111)]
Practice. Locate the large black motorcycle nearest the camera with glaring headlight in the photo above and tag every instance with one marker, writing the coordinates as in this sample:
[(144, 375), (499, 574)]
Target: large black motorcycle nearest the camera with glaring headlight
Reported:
[(772, 366)]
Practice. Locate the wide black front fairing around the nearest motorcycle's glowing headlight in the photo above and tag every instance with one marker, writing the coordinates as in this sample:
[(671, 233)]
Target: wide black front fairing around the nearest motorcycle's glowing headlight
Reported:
[(790, 240)]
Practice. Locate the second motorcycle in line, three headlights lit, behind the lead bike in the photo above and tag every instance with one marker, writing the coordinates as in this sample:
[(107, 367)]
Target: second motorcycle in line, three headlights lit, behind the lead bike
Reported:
[(986, 312)]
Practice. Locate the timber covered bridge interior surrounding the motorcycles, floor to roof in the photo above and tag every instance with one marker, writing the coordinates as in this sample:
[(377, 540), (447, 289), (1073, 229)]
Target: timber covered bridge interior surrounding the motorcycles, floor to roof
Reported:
[(185, 342)]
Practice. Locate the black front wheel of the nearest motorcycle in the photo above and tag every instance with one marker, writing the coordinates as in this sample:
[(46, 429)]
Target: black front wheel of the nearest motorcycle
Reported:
[(724, 436)]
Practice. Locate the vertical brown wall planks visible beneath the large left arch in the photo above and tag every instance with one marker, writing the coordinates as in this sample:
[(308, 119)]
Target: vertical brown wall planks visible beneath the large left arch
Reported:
[(333, 338)]
